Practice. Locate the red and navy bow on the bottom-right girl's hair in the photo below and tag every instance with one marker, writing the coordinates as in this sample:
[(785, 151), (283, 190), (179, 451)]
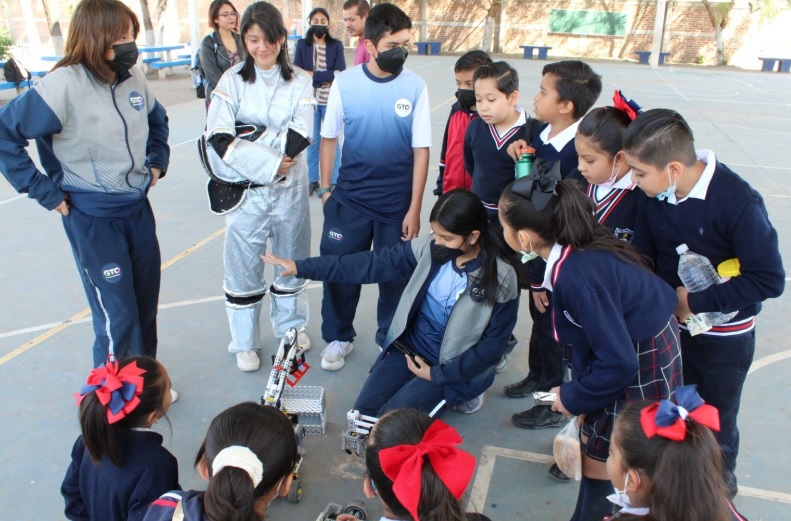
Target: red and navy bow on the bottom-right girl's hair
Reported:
[(668, 419)]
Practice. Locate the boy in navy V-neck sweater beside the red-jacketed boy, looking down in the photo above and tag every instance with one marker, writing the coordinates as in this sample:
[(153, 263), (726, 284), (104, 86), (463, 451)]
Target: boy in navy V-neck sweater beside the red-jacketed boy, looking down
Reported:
[(501, 122)]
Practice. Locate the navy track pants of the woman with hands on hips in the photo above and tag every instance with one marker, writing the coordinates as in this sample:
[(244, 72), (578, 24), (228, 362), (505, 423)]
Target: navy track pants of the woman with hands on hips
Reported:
[(119, 262)]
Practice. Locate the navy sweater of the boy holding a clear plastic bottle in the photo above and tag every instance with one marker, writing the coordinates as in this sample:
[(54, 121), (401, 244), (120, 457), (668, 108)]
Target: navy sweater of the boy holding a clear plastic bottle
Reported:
[(731, 222)]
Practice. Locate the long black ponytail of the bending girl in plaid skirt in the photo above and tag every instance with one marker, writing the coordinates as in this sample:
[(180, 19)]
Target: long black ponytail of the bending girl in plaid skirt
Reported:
[(568, 219)]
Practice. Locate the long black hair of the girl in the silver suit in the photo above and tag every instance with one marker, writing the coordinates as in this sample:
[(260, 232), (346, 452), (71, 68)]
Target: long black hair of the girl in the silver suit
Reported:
[(270, 21)]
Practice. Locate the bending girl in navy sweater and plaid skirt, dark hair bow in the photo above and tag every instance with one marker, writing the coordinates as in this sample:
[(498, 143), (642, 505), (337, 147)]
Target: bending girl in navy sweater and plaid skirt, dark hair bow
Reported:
[(615, 313)]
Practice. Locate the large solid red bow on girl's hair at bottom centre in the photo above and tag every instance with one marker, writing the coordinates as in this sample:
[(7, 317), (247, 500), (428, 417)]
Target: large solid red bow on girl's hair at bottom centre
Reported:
[(404, 464)]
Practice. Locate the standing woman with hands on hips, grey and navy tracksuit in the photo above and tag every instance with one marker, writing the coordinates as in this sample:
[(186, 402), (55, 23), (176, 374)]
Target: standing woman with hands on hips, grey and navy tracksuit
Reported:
[(102, 140)]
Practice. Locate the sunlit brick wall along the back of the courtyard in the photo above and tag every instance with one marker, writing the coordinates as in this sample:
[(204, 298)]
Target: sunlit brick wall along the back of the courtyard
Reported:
[(459, 25)]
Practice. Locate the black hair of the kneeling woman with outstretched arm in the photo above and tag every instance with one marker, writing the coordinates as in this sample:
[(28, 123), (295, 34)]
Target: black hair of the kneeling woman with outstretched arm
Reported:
[(461, 212)]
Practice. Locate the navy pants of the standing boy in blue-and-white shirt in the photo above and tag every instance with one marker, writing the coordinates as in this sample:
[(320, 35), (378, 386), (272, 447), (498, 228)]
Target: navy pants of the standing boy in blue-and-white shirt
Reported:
[(346, 231)]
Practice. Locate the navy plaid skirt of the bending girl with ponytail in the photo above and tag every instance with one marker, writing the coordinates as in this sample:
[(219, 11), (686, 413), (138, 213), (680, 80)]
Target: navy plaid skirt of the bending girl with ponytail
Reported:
[(658, 376)]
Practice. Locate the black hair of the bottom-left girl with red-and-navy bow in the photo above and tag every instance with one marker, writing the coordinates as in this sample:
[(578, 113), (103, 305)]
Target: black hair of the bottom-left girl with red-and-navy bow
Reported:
[(104, 439)]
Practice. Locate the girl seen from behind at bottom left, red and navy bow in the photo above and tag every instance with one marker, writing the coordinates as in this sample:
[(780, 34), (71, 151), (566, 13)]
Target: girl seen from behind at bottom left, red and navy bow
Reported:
[(118, 465)]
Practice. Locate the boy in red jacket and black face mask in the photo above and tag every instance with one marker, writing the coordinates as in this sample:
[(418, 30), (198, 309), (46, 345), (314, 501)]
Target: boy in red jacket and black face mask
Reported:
[(452, 171)]
